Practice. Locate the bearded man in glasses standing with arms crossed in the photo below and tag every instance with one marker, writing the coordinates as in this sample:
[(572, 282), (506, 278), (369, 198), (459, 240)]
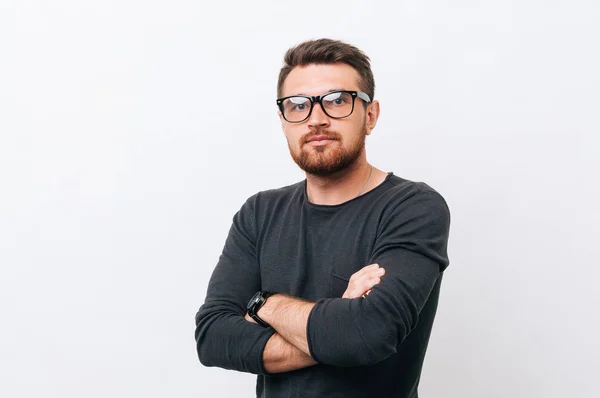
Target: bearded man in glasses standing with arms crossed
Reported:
[(328, 287)]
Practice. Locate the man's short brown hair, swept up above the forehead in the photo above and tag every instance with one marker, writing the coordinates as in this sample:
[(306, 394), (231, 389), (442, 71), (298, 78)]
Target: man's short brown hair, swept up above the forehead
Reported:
[(327, 51)]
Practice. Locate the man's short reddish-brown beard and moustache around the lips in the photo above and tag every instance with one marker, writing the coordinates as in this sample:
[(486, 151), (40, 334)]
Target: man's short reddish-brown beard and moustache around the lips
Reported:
[(330, 158)]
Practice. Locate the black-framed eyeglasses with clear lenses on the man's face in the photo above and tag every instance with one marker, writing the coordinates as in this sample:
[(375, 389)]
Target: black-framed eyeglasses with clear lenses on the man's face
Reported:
[(335, 104)]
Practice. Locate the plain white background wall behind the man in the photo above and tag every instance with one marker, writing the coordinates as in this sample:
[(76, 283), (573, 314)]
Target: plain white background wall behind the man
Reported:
[(123, 158)]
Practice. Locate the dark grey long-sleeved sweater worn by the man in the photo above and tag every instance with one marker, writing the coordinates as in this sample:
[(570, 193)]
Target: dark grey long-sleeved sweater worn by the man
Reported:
[(365, 347)]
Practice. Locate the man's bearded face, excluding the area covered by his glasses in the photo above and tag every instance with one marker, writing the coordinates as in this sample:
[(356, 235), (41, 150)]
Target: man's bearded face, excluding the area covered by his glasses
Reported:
[(342, 141)]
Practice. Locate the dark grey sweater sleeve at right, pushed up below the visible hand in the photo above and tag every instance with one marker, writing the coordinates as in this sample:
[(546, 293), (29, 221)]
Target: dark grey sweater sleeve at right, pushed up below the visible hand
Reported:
[(412, 247)]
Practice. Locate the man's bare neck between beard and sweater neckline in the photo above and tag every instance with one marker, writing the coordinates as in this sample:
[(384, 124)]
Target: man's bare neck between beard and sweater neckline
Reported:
[(342, 186)]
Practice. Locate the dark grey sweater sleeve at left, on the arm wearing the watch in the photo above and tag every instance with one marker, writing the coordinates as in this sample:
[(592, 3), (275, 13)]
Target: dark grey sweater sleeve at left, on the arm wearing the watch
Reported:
[(223, 337)]
